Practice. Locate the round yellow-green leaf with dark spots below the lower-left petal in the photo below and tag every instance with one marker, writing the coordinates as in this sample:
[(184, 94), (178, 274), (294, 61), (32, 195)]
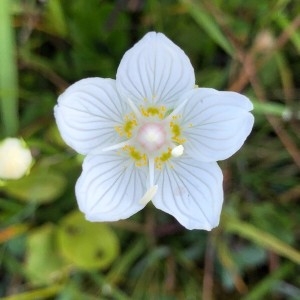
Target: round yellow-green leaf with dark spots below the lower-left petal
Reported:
[(87, 245)]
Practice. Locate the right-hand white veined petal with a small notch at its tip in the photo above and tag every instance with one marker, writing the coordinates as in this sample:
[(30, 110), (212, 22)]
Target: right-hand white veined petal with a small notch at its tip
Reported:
[(215, 124)]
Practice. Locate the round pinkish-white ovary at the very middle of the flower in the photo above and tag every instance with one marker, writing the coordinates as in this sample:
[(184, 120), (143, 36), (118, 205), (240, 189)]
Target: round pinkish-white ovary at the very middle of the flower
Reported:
[(151, 136)]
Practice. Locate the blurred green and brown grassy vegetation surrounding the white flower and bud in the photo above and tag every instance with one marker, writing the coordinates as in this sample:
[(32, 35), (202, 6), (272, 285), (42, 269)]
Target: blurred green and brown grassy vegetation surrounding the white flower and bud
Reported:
[(47, 250)]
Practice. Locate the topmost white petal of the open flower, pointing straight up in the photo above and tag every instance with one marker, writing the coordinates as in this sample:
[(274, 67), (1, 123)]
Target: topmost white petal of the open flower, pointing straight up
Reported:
[(155, 70)]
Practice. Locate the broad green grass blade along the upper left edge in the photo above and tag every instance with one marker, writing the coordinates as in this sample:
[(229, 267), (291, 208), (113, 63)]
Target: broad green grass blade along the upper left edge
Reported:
[(8, 72)]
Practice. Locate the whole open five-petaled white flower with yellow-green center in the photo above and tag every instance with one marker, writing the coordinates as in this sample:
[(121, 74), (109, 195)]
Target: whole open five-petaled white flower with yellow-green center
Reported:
[(151, 135)]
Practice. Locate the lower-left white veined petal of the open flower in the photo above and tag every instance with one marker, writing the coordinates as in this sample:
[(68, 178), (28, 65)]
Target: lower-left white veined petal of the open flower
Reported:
[(110, 187)]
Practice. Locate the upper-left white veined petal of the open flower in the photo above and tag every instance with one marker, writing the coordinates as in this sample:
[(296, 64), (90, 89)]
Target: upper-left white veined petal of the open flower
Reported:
[(87, 113)]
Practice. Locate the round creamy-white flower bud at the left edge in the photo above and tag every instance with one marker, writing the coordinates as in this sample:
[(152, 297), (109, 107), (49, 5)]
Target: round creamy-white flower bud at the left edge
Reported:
[(15, 158)]
